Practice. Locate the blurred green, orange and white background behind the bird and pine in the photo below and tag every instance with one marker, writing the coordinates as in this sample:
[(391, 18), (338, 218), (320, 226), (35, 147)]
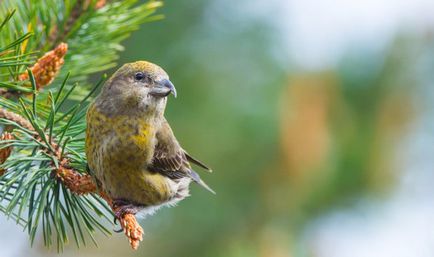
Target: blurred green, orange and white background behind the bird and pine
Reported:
[(317, 118)]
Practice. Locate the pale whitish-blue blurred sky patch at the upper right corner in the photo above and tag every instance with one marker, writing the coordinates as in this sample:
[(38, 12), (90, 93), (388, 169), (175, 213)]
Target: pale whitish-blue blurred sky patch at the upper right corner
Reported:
[(318, 32)]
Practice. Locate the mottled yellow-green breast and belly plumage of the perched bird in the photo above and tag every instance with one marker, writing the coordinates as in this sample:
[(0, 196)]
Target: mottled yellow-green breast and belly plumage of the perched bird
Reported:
[(118, 149)]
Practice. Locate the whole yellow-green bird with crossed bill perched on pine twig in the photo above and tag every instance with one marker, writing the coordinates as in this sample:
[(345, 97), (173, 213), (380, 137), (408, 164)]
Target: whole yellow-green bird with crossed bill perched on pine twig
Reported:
[(132, 153)]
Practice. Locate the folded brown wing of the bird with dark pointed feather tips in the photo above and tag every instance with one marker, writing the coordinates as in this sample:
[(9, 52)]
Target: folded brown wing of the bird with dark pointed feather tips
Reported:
[(171, 160)]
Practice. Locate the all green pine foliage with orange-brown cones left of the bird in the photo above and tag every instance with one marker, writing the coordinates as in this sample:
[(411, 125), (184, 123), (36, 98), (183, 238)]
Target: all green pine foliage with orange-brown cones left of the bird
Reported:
[(48, 48)]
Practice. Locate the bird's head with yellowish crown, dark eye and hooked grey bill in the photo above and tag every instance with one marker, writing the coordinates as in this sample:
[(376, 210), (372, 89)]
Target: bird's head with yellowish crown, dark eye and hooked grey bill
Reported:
[(140, 86)]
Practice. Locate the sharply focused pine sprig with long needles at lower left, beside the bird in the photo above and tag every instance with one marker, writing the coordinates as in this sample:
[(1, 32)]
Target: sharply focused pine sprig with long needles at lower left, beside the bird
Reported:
[(41, 165)]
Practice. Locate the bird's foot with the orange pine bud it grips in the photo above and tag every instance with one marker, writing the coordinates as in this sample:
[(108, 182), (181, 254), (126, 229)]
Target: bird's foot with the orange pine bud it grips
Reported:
[(125, 214)]
